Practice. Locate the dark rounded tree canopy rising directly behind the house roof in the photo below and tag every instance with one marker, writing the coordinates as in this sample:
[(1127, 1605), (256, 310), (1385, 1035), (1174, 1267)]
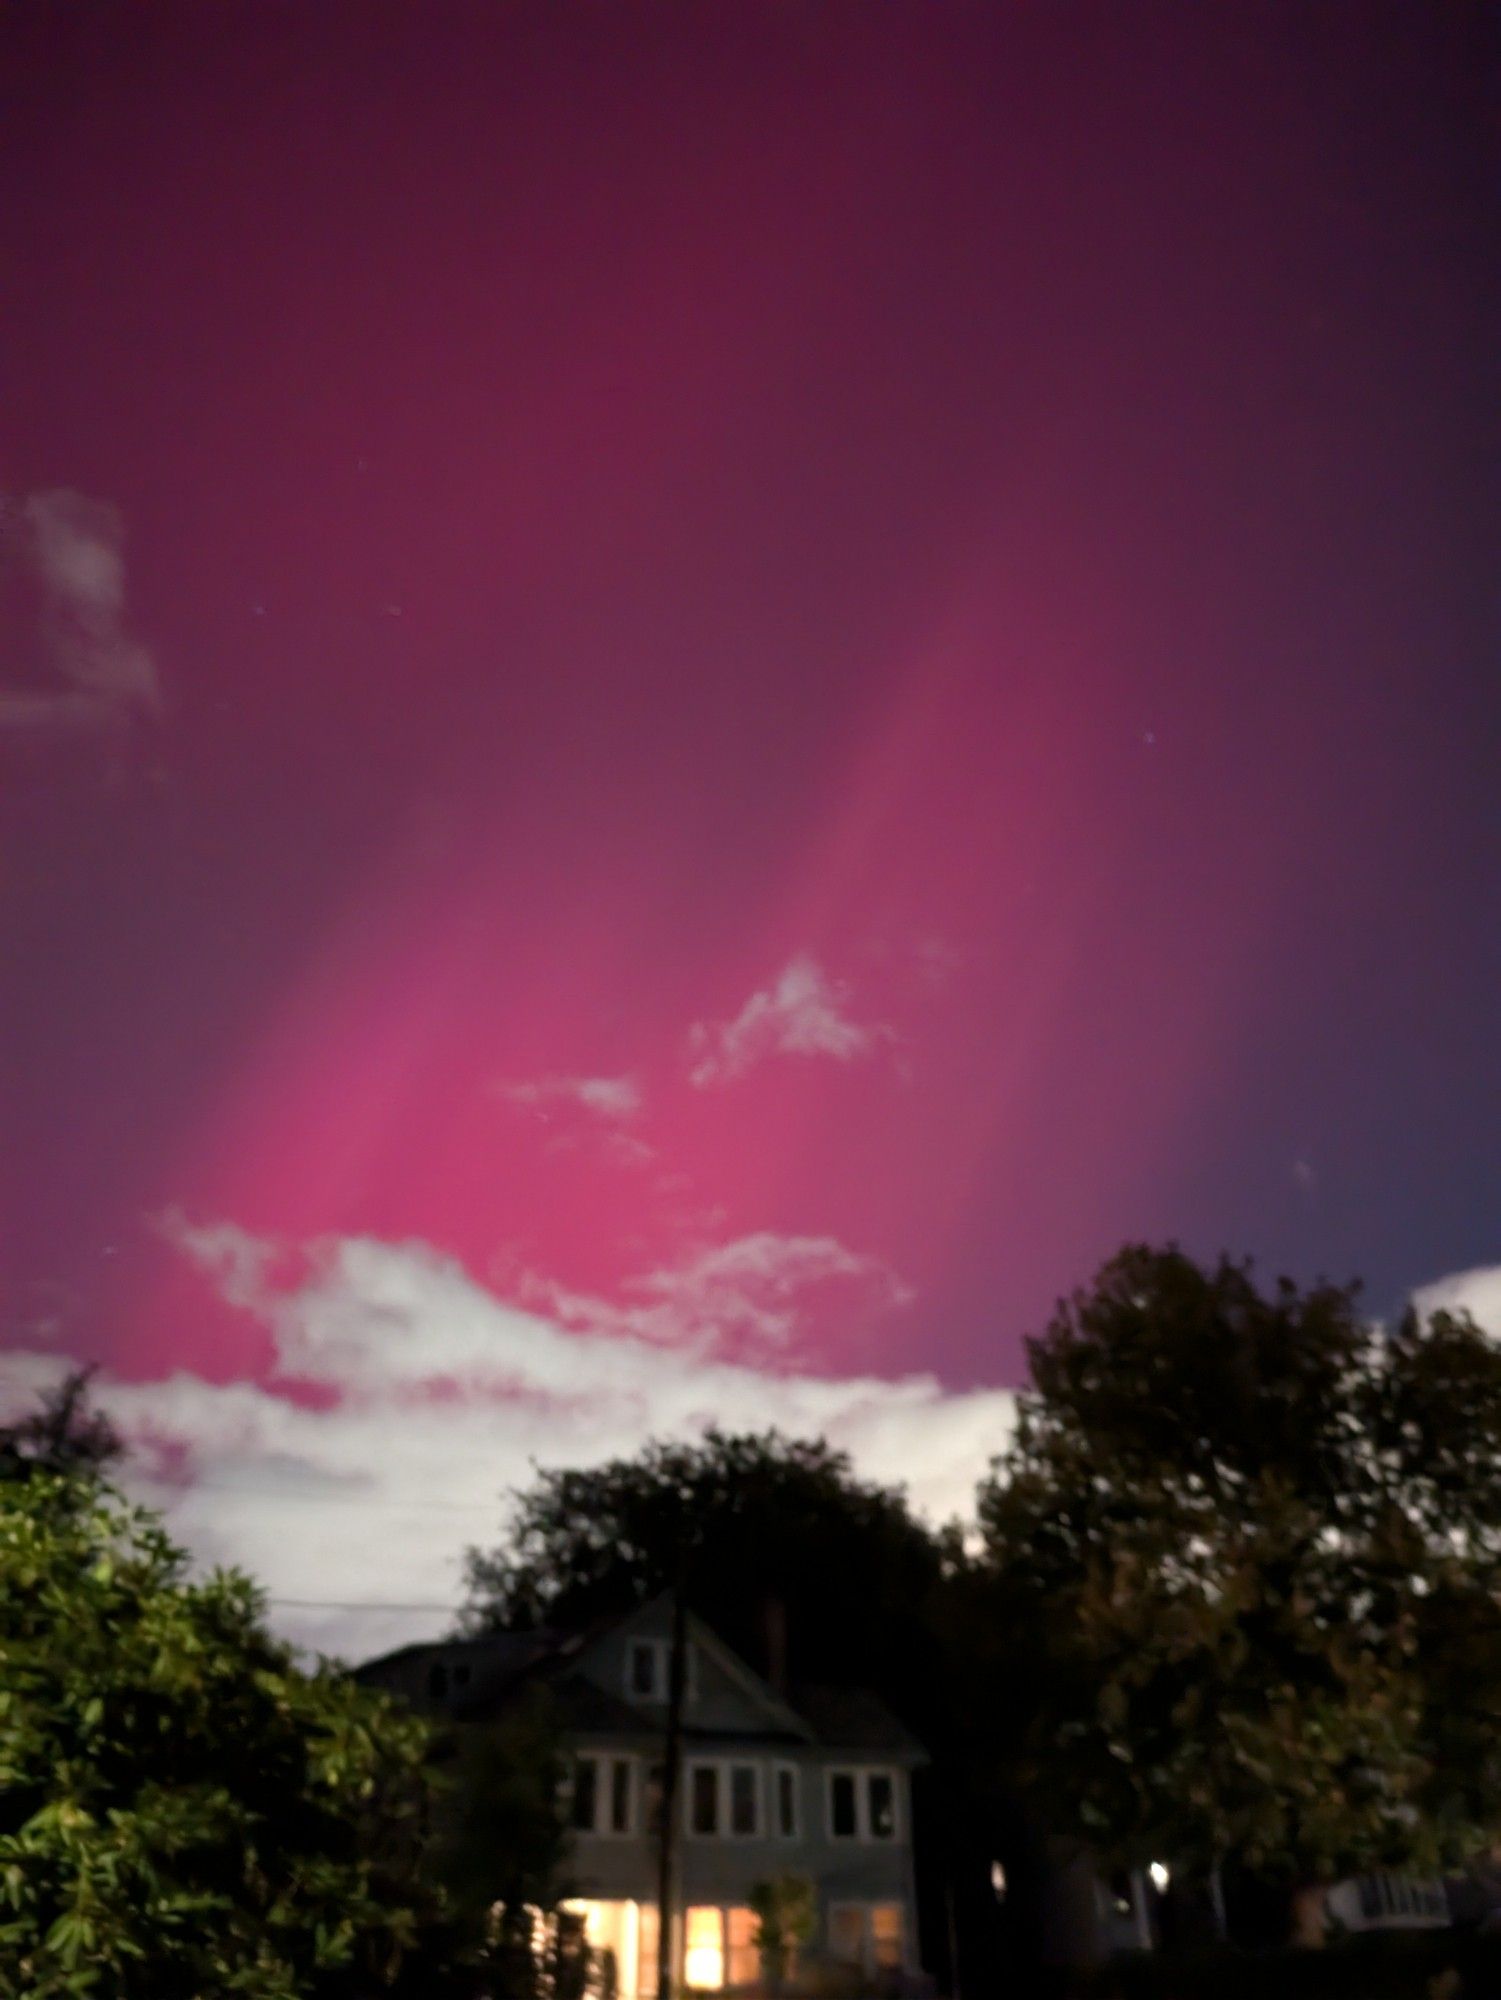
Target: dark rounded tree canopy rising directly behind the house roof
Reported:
[(766, 1527)]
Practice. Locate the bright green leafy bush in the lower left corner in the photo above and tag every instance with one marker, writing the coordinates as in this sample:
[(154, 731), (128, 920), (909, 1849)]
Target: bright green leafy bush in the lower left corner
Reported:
[(183, 1811)]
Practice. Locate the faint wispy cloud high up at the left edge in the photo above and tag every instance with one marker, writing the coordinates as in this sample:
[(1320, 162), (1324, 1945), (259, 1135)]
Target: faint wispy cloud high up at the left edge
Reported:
[(73, 551)]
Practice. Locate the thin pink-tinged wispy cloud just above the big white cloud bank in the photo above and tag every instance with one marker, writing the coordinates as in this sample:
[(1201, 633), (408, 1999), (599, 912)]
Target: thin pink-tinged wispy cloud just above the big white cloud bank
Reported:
[(745, 1291)]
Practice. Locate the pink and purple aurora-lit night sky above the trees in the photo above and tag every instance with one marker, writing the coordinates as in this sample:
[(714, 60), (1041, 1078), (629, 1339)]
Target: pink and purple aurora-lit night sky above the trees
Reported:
[(737, 681)]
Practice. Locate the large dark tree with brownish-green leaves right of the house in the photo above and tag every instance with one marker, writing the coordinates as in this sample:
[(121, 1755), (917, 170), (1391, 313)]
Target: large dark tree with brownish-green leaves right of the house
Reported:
[(1254, 1555)]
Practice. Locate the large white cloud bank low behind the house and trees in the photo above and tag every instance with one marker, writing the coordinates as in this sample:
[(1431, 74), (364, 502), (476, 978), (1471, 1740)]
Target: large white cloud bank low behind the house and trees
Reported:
[(433, 1399)]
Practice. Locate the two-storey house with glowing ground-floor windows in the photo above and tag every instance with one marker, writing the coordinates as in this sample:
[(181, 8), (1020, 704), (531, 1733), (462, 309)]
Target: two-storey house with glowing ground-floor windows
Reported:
[(814, 1783)]
